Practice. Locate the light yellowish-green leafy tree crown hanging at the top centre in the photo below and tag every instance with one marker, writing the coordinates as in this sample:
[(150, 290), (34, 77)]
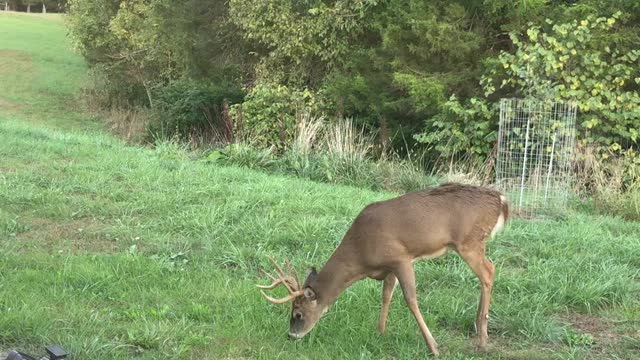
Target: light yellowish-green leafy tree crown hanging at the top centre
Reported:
[(298, 36)]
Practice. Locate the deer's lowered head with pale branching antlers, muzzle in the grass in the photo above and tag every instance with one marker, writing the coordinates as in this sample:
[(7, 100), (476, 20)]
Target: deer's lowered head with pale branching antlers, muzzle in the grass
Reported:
[(305, 309)]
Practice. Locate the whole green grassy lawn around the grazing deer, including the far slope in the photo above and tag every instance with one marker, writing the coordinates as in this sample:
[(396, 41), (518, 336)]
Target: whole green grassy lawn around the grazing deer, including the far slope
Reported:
[(117, 251)]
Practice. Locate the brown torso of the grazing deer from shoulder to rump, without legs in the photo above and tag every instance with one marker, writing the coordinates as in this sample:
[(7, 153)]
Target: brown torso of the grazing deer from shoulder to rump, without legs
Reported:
[(425, 223)]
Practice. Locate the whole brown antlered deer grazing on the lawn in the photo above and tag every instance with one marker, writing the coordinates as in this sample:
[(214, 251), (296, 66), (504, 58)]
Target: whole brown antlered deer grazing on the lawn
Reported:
[(387, 237)]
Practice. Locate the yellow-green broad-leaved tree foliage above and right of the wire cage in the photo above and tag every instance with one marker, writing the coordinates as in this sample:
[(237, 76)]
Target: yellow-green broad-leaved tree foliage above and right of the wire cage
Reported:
[(575, 62)]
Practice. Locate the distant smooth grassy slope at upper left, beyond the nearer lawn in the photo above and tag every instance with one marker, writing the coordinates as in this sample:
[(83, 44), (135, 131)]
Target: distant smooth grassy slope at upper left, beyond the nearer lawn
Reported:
[(39, 75)]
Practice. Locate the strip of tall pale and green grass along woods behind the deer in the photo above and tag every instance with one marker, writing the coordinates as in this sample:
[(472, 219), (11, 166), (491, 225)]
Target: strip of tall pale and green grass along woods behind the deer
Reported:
[(337, 153)]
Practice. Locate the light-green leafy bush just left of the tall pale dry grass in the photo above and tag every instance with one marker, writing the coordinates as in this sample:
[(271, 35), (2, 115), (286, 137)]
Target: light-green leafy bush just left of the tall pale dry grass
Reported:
[(268, 115)]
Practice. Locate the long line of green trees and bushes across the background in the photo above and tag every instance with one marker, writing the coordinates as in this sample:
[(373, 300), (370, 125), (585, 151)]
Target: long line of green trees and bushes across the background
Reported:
[(424, 74)]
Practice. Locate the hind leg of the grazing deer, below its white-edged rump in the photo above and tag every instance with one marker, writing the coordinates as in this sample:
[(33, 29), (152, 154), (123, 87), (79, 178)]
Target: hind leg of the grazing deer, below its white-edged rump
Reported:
[(474, 256)]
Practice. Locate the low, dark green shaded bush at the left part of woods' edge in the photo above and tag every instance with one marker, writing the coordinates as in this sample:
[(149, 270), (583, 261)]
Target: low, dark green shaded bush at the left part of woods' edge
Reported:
[(188, 108)]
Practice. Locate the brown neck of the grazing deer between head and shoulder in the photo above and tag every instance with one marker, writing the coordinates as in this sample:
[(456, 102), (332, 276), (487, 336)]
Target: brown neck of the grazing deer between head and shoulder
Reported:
[(338, 273)]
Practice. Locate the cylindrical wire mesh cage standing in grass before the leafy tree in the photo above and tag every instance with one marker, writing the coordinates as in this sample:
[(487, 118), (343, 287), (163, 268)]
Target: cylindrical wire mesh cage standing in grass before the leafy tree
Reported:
[(536, 142)]
